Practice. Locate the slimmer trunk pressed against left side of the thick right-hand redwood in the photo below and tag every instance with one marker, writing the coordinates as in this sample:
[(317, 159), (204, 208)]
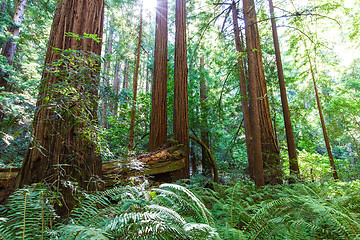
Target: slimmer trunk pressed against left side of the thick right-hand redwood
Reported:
[(244, 98)]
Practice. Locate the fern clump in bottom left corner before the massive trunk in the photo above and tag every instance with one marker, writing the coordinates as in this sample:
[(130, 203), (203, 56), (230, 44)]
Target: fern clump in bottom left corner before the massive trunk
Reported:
[(29, 214)]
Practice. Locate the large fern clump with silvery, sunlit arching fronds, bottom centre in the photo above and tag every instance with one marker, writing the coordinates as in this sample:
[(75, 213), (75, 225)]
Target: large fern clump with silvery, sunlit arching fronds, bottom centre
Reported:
[(134, 213)]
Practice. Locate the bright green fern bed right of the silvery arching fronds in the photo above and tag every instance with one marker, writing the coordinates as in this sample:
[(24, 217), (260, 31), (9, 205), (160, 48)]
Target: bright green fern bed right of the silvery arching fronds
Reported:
[(297, 211)]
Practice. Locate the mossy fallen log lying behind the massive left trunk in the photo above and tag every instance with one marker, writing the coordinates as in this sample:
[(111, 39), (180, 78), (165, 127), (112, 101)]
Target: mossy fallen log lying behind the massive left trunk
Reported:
[(167, 159)]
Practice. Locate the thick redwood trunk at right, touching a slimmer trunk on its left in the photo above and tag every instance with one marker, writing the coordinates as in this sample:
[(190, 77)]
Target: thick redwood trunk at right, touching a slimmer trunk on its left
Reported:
[(270, 150)]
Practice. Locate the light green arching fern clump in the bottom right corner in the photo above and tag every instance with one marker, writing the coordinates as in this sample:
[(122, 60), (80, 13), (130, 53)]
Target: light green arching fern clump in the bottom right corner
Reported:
[(301, 211)]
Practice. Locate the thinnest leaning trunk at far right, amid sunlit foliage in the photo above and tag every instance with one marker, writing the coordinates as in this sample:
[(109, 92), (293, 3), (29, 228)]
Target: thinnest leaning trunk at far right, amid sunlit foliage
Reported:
[(326, 138)]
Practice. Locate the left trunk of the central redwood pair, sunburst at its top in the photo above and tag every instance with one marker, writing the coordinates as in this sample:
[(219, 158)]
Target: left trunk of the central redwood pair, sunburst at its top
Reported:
[(158, 119)]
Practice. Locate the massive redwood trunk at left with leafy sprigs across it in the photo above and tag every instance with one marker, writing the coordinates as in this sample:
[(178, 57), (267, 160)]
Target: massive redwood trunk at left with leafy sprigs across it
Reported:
[(61, 150)]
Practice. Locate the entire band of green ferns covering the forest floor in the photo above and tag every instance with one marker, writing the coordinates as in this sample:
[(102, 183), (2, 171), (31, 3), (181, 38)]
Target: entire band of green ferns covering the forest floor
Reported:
[(240, 211)]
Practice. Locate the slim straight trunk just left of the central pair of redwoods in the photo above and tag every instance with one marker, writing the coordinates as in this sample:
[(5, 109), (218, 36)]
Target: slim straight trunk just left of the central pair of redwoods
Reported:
[(135, 82)]
